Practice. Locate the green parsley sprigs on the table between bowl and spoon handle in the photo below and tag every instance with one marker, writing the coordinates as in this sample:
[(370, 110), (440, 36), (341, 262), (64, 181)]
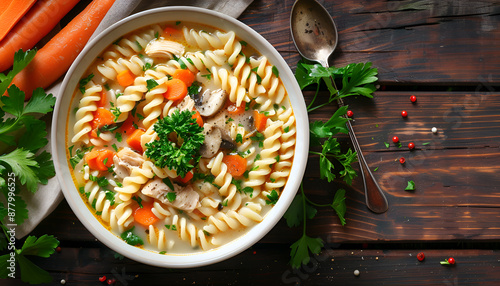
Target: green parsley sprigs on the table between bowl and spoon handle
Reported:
[(357, 79)]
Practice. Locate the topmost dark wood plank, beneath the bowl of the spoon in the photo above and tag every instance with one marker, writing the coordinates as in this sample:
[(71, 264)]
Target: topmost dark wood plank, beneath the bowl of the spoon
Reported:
[(406, 40)]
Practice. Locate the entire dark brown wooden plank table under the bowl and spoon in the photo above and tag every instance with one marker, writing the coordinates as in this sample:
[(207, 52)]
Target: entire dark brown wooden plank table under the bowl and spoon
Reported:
[(446, 53)]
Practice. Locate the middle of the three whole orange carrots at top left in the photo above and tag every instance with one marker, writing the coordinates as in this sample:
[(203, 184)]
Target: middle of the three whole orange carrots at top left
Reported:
[(38, 22)]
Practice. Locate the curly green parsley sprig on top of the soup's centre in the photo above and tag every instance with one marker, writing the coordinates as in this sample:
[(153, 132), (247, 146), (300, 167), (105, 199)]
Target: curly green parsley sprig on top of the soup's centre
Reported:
[(165, 153)]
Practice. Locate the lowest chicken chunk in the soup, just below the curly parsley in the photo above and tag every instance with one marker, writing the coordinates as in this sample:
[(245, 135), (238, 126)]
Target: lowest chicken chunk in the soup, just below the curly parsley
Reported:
[(186, 199)]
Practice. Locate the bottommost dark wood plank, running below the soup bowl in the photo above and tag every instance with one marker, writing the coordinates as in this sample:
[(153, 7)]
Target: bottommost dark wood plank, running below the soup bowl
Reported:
[(267, 265)]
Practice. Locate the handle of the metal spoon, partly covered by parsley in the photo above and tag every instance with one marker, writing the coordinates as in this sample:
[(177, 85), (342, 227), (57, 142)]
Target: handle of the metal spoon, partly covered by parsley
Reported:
[(375, 198)]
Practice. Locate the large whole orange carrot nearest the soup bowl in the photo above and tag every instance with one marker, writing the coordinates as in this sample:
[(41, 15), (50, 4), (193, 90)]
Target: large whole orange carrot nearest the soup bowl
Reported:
[(54, 59)]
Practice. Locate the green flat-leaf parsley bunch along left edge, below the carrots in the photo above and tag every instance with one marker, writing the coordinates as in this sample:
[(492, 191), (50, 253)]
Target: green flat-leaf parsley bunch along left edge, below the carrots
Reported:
[(22, 164)]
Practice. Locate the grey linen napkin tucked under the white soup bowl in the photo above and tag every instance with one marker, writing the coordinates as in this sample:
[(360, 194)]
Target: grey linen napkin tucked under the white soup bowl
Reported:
[(46, 199)]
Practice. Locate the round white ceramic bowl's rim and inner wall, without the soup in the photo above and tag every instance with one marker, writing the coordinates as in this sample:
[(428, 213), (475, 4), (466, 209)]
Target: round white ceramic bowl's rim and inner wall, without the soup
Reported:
[(62, 110)]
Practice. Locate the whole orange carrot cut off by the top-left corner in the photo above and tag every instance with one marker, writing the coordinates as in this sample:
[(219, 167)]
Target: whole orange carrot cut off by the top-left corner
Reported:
[(11, 13)]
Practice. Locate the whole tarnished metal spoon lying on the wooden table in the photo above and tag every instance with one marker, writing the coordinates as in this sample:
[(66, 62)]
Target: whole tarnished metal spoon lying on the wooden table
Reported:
[(315, 36)]
